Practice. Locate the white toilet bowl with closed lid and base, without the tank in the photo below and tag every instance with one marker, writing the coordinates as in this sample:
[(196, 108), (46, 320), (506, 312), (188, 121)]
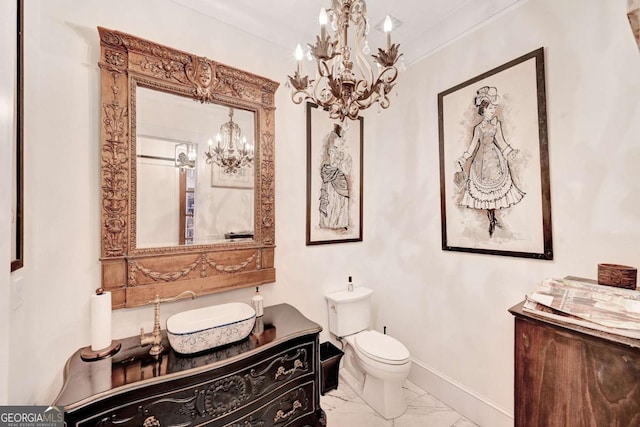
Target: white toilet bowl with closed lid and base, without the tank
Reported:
[(375, 366)]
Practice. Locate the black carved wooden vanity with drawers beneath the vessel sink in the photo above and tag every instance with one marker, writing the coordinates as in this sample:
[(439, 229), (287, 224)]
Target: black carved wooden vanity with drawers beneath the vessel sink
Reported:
[(271, 378)]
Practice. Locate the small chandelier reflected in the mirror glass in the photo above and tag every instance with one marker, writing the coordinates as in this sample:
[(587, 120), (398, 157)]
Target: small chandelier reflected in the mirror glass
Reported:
[(231, 152)]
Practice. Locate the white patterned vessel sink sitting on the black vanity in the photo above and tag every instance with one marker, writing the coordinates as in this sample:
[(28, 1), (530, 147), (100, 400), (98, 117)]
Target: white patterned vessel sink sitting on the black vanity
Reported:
[(202, 329)]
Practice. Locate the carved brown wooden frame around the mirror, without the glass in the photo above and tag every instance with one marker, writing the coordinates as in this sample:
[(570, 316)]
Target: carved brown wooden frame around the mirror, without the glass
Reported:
[(134, 275)]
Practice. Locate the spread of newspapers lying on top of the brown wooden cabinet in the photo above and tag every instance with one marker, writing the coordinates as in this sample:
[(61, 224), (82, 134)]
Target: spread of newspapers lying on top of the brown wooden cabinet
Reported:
[(605, 308)]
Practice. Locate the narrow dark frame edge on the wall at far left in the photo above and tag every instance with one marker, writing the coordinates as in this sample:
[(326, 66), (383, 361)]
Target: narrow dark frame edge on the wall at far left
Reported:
[(17, 256)]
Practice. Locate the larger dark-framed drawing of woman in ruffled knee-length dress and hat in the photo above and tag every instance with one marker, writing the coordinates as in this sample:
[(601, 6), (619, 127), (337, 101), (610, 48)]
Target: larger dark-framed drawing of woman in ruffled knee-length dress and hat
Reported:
[(494, 163)]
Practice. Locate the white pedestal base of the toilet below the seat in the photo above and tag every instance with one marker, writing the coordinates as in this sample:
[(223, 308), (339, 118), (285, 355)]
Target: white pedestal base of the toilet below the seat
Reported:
[(384, 397)]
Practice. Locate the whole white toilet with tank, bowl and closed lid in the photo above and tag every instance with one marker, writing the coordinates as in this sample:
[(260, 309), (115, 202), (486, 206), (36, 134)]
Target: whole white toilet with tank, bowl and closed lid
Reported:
[(374, 365)]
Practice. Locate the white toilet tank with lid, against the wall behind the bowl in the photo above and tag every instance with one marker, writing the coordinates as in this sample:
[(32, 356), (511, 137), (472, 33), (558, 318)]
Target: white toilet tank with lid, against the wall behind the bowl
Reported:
[(349, 311)]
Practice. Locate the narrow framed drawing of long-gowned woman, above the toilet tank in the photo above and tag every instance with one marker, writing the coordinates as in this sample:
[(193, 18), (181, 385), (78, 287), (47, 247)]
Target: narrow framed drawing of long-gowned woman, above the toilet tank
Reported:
[(334, 178)]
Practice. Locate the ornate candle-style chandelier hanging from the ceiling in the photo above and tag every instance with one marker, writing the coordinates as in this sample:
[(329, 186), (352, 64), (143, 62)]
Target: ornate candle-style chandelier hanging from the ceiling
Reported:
[(338, 87)]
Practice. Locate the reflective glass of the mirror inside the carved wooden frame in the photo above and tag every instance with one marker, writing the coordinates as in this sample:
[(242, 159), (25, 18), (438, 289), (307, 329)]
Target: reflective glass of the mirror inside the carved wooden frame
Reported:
[(182, 197)]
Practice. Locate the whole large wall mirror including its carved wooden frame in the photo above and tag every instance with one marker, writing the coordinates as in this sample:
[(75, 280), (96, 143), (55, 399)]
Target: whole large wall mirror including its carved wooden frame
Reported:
[(187, 173)]
